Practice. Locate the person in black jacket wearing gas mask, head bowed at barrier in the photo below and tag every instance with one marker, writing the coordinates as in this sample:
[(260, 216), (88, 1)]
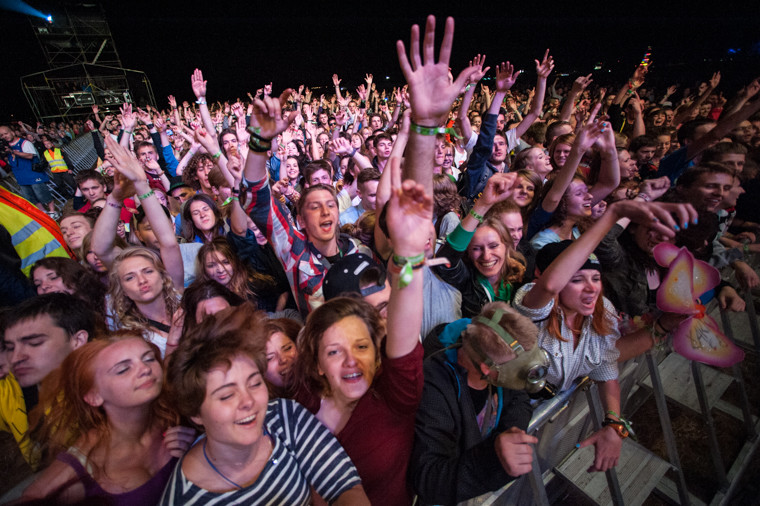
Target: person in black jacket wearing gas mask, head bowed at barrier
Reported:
[(469, 436)]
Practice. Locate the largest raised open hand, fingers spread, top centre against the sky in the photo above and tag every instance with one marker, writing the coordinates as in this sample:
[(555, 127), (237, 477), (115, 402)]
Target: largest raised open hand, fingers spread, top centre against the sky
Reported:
[(431, 91)]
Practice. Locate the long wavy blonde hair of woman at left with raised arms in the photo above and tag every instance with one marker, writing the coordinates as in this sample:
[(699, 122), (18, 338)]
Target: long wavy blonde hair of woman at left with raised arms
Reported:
[(125, 308)]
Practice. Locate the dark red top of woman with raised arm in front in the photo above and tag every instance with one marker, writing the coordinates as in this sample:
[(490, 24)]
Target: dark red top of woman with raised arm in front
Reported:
[(379, 435)]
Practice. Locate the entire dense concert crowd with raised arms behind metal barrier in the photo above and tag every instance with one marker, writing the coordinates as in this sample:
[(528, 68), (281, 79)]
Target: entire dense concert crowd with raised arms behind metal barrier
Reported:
[(357, 297)]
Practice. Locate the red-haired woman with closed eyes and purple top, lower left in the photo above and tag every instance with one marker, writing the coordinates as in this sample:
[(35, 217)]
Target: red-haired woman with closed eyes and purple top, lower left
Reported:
[(116, 437)]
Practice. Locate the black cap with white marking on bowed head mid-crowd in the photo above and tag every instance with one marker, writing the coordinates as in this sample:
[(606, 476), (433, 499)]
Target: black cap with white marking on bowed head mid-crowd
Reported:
[(350, 272)]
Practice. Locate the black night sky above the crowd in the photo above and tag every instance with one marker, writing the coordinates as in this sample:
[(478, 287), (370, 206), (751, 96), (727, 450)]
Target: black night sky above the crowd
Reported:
[(241, 47)]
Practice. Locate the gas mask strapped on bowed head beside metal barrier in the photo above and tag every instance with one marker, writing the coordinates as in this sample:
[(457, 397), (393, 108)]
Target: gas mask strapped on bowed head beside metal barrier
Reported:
[(527, 371)]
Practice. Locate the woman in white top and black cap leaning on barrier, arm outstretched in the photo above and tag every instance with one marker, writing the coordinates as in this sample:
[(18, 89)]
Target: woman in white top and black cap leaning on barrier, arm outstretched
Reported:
[(577, 325)]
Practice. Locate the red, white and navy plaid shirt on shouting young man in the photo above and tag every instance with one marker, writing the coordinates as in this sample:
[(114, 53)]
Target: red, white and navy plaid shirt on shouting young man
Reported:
[(304, 265)]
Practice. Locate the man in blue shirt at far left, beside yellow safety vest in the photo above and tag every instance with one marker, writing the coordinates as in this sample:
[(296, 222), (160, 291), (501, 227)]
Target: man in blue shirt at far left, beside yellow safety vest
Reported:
[(21, 156)]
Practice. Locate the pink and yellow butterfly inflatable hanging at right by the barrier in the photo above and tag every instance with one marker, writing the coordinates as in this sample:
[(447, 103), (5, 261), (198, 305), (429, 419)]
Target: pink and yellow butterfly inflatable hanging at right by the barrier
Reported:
[(698, 336)]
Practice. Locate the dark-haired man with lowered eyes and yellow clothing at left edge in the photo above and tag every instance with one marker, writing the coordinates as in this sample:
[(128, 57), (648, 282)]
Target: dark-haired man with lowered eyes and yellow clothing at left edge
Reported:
[(37, 335)]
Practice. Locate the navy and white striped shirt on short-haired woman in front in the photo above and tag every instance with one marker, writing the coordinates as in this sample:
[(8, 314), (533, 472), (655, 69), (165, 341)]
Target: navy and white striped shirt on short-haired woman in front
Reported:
[(304, 454)]
